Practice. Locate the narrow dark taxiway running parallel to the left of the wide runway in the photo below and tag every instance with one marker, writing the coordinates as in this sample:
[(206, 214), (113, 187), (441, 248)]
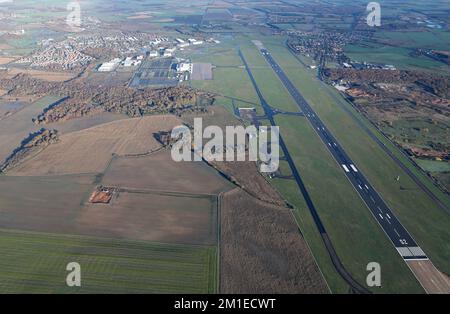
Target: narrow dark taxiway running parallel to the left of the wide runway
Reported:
[(269, 112)]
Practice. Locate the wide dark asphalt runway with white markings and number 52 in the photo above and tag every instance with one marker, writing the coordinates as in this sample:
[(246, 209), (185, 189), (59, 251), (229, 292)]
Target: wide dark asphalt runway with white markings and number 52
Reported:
[(402, 240)]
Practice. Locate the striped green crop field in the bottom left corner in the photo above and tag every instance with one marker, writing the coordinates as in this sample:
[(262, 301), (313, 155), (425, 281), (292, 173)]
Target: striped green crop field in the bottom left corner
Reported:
[(36, 263)]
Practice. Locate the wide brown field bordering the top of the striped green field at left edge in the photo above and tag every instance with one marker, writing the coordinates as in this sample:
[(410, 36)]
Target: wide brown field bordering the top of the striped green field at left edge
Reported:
[(59, 204)]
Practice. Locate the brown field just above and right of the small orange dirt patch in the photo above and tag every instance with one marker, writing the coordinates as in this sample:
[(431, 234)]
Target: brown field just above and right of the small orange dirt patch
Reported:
[(159, 172)]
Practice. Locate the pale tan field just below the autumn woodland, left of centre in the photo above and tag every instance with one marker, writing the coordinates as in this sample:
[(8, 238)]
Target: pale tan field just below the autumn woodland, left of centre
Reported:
[(90, 150)]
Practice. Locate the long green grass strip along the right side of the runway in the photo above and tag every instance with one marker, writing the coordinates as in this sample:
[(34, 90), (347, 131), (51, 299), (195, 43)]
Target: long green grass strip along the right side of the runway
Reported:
[(427, 222)]
